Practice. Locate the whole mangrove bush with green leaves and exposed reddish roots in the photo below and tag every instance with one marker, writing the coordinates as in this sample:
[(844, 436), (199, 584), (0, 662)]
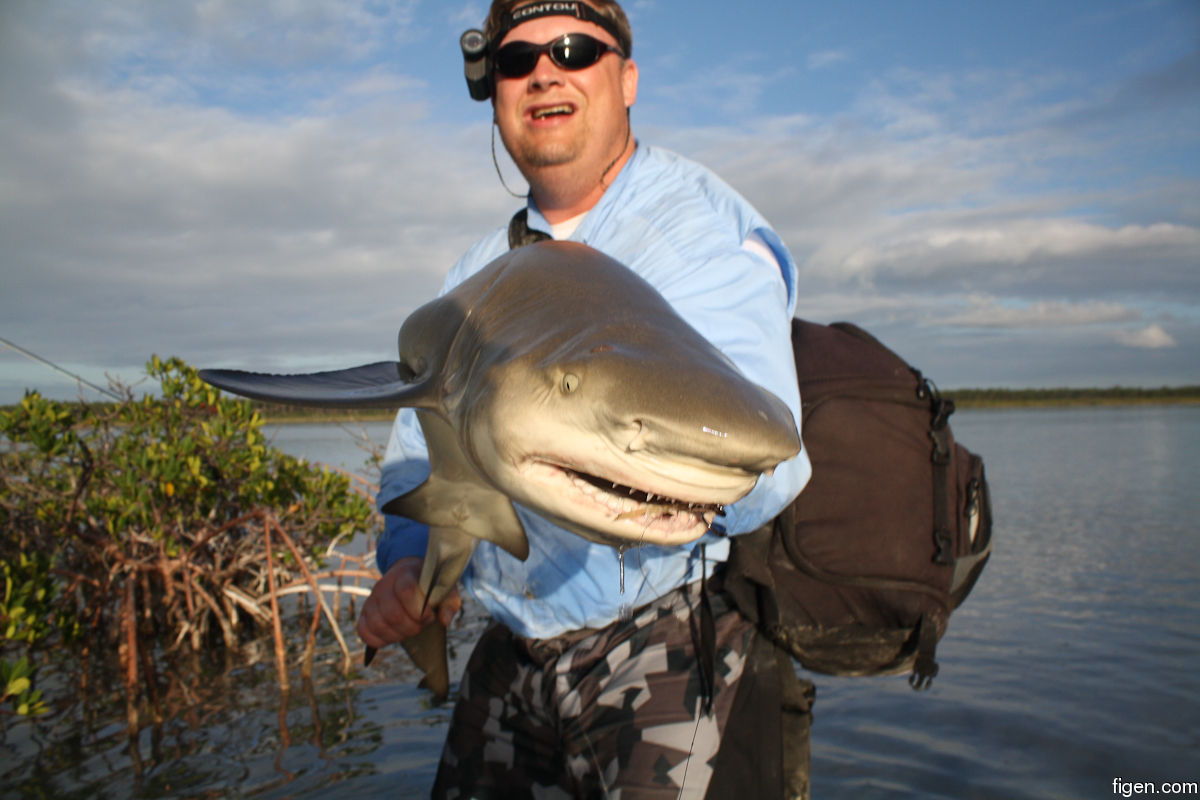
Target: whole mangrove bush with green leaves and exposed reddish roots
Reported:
[(166, 492)]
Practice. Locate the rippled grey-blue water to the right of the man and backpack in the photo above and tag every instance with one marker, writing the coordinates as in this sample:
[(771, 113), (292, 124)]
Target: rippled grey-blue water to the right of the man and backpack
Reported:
[(1075, 661)]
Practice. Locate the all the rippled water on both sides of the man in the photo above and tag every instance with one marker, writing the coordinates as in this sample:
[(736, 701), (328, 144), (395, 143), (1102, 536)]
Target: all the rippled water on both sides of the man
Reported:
[(1072, 664)]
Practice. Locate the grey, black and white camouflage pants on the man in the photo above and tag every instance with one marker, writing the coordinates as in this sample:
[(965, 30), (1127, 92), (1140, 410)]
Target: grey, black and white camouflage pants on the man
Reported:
[(615, 713)]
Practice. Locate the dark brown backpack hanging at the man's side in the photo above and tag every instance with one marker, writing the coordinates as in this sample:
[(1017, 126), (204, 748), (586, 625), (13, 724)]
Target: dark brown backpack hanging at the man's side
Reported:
[(860, 575)]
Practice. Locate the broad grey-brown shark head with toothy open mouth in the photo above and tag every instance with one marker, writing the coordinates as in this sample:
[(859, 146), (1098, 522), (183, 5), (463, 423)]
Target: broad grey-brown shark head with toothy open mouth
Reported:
[(603, 411)]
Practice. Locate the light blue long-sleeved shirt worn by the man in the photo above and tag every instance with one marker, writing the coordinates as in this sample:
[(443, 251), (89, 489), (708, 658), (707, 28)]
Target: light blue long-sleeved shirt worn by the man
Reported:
[(685, 231)]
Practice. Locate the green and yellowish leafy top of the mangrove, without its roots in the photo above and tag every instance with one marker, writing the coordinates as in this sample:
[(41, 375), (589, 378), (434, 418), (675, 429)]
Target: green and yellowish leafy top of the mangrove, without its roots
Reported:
[(164, 464)]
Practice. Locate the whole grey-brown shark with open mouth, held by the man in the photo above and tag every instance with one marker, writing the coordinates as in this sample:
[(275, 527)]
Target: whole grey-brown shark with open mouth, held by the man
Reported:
[(560, 381)]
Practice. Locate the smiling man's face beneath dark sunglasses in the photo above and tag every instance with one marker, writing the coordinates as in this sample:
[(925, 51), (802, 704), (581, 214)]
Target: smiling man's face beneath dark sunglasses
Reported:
[(555, 118)]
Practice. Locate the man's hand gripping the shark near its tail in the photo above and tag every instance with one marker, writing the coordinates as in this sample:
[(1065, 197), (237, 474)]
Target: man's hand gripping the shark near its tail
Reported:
[(393, 612)]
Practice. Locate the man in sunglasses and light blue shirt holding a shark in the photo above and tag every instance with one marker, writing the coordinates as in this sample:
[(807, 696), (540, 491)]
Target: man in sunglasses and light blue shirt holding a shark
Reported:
[(583, 689)]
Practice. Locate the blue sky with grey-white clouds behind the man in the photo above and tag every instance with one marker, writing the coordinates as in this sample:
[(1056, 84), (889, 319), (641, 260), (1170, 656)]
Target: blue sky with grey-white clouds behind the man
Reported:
[(1006, 194)]
